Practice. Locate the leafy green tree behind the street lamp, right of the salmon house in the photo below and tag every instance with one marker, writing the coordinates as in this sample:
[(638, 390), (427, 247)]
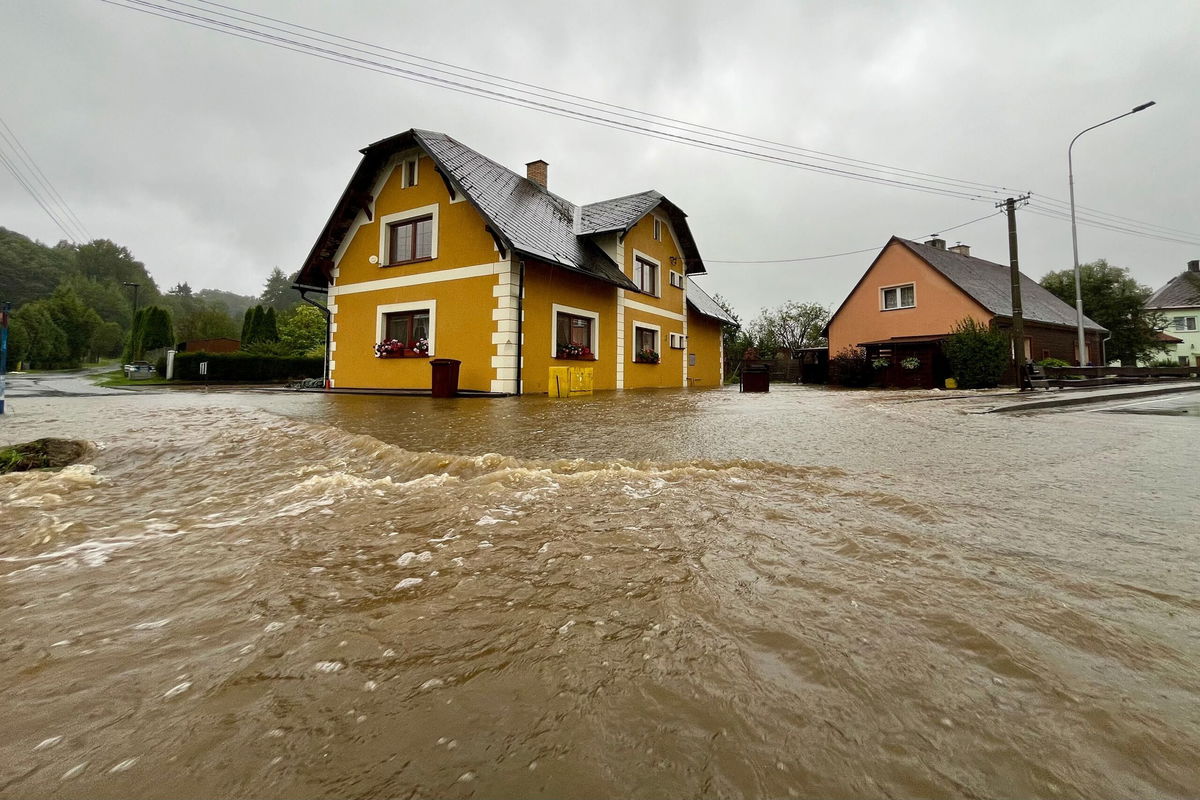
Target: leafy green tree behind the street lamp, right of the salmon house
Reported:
[(1117, 302)]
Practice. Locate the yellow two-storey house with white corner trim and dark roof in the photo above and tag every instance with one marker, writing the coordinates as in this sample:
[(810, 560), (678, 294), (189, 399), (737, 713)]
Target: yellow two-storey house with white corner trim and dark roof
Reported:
[(436, 251)]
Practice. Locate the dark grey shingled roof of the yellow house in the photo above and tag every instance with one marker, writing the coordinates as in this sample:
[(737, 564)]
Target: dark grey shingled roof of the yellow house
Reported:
[(520, 214)]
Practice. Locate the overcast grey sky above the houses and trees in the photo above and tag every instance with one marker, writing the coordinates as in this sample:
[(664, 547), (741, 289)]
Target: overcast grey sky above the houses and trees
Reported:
[(215, 159)]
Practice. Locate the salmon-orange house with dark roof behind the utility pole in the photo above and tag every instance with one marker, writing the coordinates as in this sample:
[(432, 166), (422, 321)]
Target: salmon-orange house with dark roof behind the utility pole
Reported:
[(914, 294)]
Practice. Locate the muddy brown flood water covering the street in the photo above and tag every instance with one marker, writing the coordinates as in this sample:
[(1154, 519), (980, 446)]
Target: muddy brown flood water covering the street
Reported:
[(659, 594)]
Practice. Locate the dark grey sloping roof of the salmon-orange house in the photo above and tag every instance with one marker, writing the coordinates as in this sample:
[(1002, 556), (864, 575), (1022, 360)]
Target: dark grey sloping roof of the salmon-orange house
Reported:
[(989, 285)]
